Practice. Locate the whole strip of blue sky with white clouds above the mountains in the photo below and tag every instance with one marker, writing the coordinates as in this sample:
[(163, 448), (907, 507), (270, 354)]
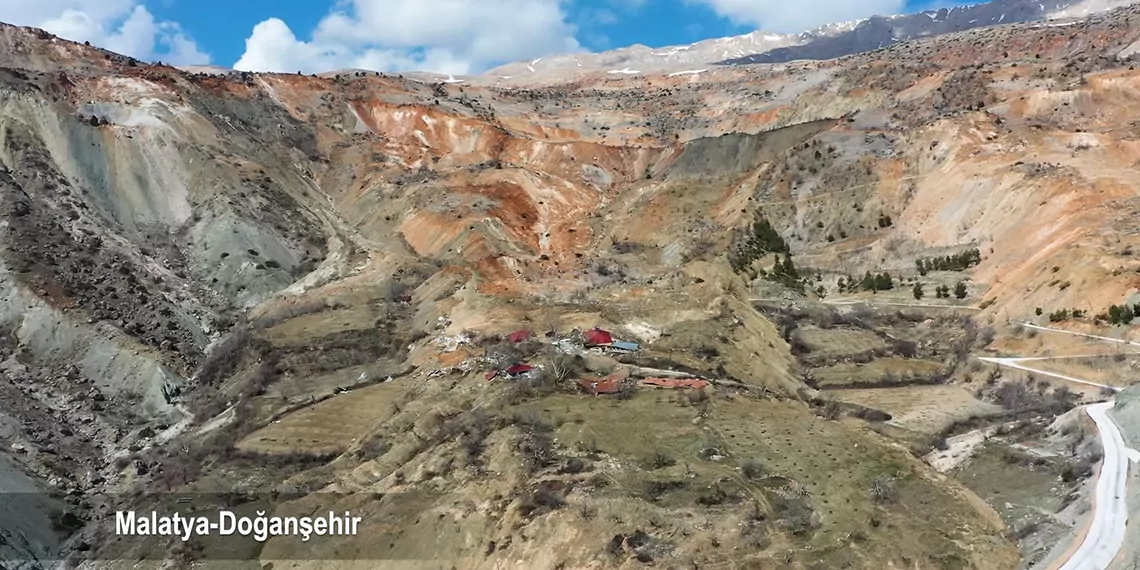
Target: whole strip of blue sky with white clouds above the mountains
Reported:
[(446, 36)]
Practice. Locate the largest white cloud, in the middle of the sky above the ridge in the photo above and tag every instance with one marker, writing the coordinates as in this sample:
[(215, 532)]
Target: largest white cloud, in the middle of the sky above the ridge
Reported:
[(453, 37)]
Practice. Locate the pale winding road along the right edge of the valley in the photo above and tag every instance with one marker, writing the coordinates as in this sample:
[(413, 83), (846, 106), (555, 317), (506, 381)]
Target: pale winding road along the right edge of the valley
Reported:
[(1105, 535)]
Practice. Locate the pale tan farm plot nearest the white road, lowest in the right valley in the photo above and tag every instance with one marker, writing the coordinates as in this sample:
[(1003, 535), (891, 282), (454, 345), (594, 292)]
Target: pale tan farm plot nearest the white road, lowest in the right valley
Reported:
[(922, 409)]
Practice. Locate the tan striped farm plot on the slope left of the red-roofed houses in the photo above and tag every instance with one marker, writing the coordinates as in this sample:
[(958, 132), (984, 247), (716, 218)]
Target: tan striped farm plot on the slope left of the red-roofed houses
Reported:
[(330, 426)]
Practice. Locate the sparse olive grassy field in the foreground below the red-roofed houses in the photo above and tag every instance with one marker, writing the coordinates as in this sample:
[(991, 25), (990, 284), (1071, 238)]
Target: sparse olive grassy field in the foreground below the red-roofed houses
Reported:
[(655, 449)]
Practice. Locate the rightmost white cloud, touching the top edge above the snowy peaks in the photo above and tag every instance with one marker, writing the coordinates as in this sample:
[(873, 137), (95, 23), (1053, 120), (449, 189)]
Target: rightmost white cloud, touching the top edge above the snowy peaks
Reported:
[(785, 17)]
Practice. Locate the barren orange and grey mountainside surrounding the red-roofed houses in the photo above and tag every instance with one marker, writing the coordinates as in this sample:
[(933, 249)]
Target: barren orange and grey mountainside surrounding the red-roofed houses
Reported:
[(208, 281)]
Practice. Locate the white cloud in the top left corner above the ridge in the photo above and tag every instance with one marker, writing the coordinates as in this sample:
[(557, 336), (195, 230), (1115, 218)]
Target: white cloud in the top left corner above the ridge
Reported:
[(126, 27)]
